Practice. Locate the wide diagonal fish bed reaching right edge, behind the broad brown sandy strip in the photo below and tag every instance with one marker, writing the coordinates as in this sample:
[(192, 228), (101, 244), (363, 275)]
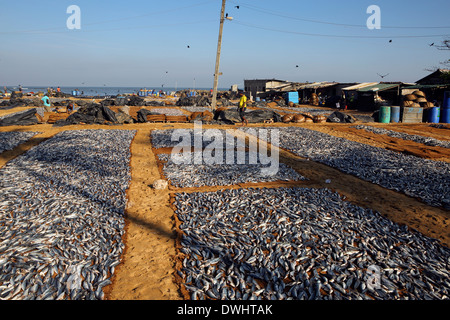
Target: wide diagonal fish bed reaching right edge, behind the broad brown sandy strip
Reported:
[(416, 177)]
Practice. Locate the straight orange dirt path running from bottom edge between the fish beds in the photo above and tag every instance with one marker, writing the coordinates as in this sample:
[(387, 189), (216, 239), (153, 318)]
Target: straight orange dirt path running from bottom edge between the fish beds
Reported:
[(147, 271)]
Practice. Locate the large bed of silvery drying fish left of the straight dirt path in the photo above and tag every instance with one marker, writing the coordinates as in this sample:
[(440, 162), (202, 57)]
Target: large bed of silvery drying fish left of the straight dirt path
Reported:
[(62, 215)]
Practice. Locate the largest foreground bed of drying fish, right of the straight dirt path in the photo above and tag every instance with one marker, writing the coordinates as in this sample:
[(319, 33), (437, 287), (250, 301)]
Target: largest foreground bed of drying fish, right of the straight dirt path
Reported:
[(300, 243)]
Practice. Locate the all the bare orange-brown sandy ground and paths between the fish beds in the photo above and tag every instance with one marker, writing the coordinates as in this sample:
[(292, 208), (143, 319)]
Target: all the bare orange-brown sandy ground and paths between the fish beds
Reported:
[(148, 268)]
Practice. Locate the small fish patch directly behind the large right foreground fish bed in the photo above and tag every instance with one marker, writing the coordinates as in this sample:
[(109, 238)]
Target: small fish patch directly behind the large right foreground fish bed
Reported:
[(185, 175)]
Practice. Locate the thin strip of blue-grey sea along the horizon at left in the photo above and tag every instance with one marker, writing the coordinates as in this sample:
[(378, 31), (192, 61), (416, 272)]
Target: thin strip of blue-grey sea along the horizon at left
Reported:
[(103, 91)]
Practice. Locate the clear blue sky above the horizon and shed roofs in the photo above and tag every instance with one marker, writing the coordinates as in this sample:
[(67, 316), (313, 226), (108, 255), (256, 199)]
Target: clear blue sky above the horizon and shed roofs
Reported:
[(144, 43)]
